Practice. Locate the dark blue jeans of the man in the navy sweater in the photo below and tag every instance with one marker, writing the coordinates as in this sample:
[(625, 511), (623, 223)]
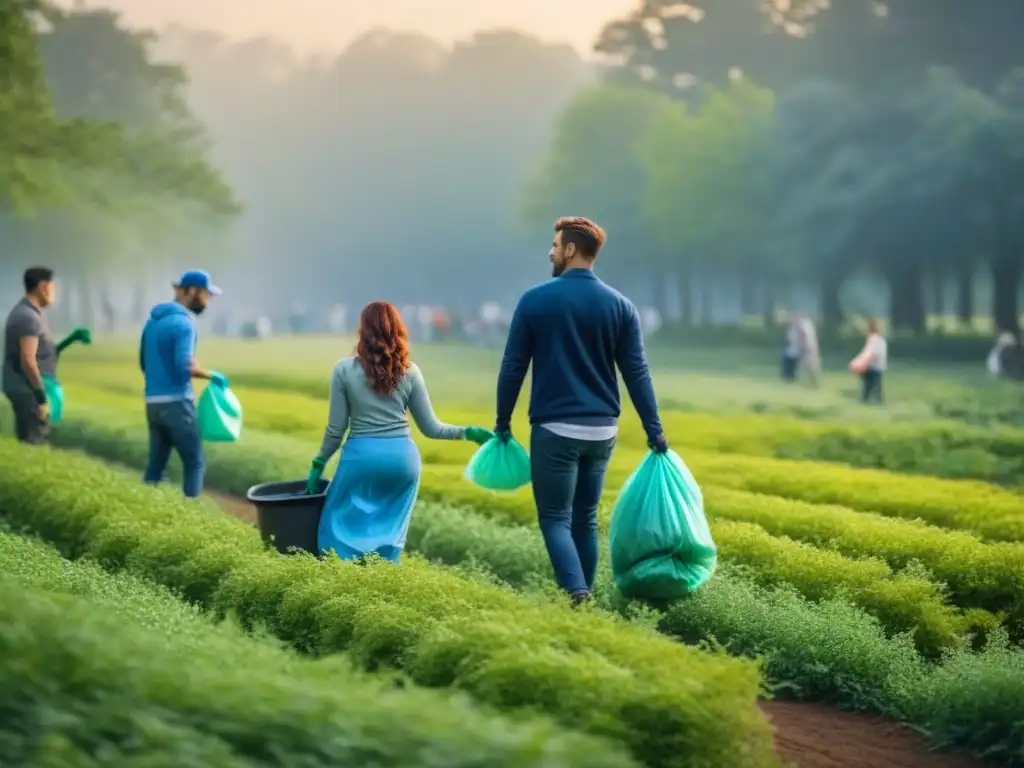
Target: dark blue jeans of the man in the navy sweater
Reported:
[(569, 479)]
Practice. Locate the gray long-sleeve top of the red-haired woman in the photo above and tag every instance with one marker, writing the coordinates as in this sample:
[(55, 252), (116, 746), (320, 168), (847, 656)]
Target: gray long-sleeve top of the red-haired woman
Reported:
[(356, 407)]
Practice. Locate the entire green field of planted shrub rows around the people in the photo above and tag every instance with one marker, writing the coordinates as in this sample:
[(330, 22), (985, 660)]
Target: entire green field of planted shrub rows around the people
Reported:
[(873, 560)]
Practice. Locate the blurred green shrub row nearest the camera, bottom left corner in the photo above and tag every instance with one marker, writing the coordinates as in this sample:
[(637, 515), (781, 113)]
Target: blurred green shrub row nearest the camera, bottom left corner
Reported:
[(108, 670)]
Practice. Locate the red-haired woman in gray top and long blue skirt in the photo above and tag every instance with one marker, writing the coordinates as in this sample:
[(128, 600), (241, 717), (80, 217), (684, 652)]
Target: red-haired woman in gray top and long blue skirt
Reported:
[(371, 497)]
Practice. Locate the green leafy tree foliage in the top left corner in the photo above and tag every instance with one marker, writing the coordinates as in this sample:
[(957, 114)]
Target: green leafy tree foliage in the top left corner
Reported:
[(90, 143)]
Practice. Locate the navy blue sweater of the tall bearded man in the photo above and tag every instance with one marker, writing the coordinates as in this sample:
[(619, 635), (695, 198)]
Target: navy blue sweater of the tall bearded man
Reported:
[(576, 330)]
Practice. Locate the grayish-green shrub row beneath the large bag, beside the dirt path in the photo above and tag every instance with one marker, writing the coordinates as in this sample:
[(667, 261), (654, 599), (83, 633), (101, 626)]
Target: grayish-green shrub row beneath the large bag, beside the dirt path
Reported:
[(826, 652)]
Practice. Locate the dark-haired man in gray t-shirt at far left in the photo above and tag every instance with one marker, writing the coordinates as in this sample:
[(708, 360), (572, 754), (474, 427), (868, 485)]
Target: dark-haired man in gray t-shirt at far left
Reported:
[(30, 354)]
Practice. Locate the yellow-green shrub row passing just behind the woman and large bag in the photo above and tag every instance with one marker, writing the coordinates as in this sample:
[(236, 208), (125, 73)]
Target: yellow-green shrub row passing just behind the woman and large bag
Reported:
[(904, 602)]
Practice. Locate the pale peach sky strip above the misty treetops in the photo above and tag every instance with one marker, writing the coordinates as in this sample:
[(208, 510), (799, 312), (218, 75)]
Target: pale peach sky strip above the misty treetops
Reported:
[(329, 25)]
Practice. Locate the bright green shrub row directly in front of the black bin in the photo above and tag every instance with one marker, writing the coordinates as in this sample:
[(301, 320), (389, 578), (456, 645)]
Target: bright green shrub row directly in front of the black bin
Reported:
[(671, 705)]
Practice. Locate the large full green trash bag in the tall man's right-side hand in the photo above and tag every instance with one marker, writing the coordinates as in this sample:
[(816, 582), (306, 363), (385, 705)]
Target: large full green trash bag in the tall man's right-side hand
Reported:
[(661, 544)]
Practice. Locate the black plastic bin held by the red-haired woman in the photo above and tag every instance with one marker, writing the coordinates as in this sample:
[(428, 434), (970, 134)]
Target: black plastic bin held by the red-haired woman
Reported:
[(288, 518)]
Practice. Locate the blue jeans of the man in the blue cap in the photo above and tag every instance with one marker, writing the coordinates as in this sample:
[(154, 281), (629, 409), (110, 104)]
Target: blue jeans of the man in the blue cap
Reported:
[(174, 425)]
